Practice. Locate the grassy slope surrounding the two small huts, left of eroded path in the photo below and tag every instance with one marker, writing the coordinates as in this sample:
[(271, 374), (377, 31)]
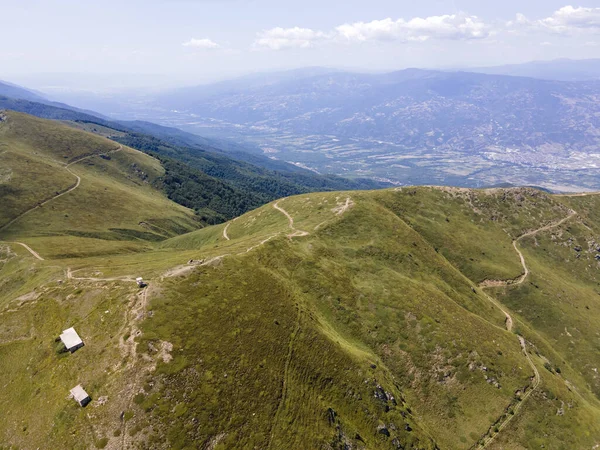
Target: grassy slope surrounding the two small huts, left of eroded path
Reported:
[(37, 380)]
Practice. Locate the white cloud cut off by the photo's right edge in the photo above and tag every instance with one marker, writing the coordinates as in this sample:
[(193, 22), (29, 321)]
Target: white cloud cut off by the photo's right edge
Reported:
[(566, 20)]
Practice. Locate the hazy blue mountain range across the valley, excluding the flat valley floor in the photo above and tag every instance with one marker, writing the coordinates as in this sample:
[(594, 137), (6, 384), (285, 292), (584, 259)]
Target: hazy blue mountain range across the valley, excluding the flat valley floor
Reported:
[(412, 108)]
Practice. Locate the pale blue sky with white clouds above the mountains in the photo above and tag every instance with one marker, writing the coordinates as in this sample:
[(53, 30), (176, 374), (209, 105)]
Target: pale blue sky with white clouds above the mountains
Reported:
[(125, 43)]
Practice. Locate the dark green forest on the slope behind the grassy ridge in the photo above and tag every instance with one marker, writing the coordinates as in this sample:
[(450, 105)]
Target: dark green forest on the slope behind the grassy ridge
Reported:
[(219, 188)]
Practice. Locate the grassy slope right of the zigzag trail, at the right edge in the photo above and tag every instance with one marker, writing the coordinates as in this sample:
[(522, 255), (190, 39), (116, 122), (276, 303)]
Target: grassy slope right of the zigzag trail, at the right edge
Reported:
[(560, 298)]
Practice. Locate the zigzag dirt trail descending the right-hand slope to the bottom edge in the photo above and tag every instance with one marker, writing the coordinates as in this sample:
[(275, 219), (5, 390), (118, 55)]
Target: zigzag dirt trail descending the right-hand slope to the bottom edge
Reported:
[(491, 435)]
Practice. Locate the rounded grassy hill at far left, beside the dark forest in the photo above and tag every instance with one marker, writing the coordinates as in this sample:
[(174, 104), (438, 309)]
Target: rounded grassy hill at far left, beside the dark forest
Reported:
[(82, 193)]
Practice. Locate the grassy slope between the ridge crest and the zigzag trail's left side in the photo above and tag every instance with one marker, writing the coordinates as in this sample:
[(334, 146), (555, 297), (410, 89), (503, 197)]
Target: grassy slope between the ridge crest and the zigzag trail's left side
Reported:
[(474, 229)]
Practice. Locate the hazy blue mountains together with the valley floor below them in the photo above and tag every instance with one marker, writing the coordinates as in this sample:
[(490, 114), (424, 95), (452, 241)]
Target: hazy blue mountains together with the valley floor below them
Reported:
[(480, 128)]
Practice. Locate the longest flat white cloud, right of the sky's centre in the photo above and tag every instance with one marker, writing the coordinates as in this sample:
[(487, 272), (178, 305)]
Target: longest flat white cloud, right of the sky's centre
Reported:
[(452, 27)]
